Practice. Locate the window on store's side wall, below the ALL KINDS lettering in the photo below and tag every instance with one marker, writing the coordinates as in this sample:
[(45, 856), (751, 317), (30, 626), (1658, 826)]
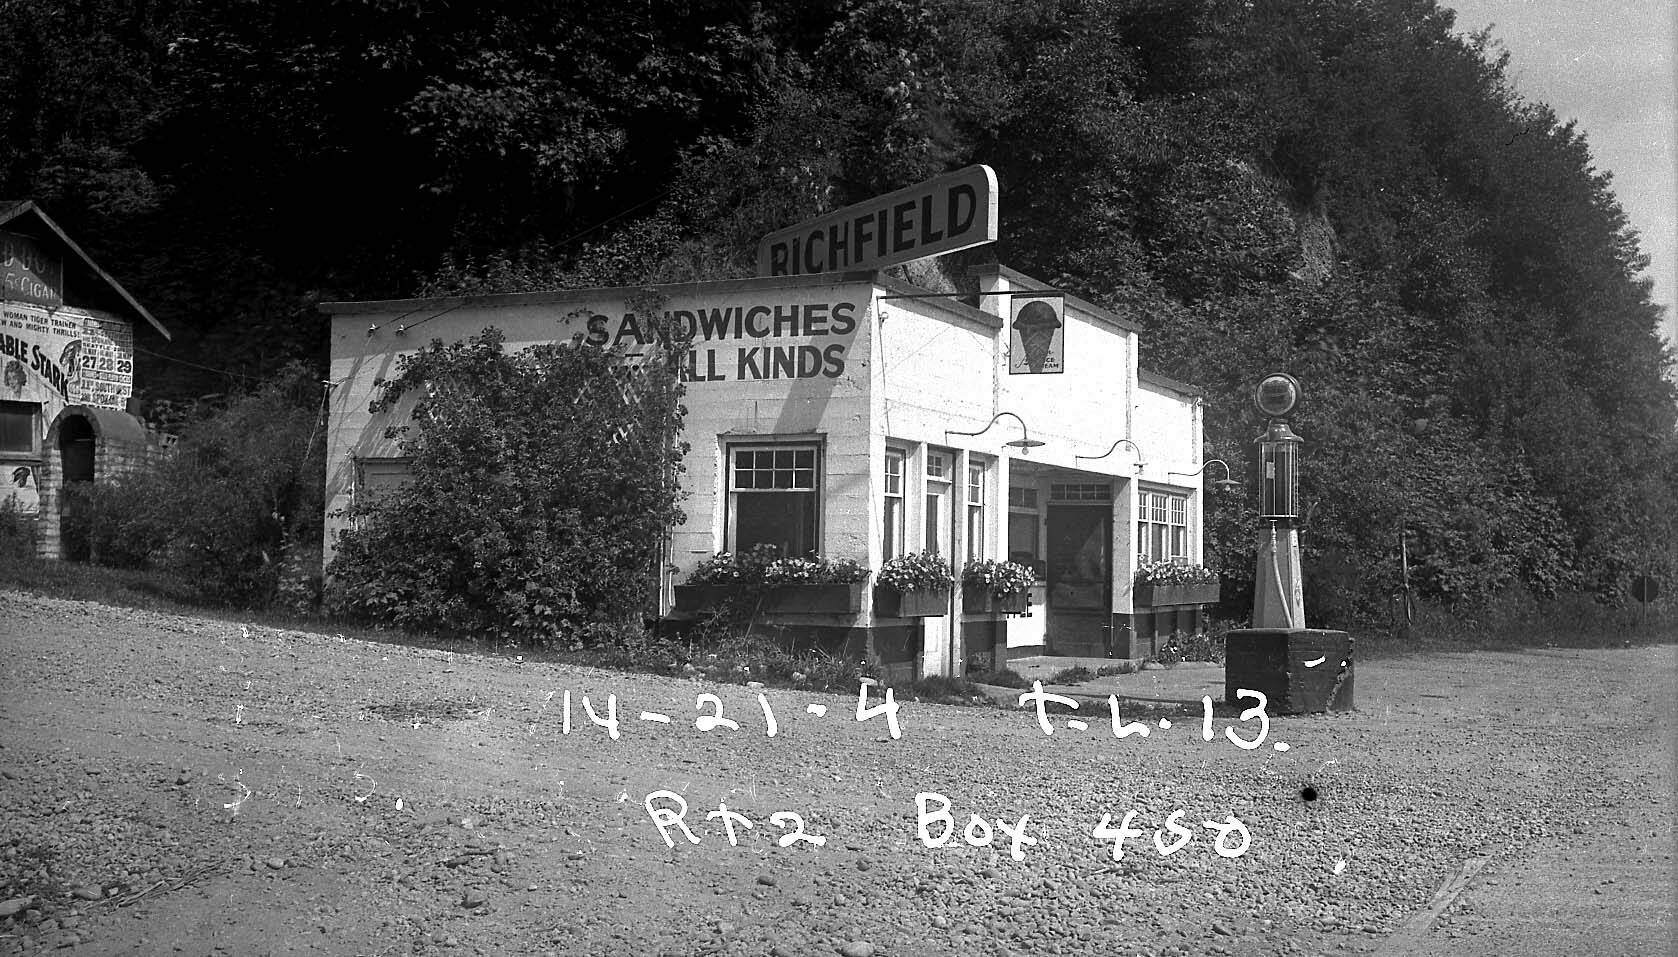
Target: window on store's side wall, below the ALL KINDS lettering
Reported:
[(774, 496)]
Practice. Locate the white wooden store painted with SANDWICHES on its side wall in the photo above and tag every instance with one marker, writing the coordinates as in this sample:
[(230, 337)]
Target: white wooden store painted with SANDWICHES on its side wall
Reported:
[(862, 390)]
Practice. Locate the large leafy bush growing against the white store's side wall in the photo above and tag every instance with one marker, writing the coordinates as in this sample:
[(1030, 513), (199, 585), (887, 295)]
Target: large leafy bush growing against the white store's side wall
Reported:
[(543, 486)]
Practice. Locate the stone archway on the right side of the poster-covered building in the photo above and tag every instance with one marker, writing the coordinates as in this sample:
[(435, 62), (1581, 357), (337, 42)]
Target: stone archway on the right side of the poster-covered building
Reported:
[(86, 444)]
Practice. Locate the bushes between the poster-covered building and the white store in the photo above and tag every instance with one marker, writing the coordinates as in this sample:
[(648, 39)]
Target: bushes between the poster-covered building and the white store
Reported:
[(232, 511)]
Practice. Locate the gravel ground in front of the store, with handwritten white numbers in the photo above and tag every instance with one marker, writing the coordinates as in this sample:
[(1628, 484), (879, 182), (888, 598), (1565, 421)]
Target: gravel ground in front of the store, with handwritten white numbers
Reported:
[(177, 785)]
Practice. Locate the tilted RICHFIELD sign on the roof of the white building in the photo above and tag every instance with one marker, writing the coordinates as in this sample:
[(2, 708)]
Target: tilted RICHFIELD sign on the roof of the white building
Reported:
[(941, 216)]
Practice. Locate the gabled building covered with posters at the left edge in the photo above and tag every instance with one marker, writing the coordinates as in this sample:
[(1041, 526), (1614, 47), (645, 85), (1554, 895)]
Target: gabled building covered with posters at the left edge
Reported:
[(66, 370)]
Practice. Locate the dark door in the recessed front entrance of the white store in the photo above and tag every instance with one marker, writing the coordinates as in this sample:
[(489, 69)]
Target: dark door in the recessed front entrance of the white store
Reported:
[(1080, 578)]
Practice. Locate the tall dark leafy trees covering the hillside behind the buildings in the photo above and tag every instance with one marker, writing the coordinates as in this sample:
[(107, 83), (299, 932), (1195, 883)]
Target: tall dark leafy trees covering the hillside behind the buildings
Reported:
[(1353, 192)]
